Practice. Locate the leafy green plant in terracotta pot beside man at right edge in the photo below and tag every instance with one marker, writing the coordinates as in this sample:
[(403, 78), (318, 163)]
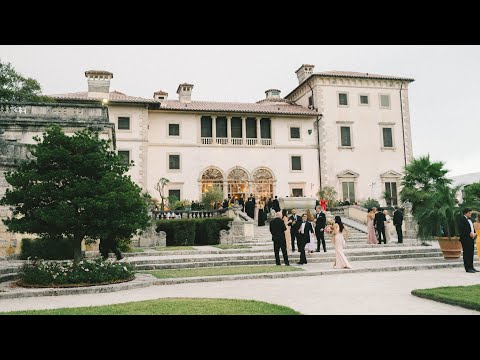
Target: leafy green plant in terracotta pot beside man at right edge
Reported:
[(437, 218)]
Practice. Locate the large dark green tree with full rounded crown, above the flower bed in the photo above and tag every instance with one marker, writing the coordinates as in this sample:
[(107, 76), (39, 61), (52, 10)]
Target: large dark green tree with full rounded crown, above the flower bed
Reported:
[(75, 187)]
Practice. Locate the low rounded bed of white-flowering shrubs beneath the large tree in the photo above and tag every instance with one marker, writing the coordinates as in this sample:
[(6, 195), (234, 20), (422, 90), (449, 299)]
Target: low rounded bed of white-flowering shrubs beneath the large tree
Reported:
[(40, 272)]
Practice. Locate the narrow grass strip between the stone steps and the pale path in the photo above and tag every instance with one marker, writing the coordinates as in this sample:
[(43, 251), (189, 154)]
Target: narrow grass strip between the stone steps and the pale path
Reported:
[(215, 271)]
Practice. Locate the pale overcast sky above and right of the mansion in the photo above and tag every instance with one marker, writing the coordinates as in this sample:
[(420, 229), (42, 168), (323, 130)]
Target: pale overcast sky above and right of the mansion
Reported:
[(444, 98)]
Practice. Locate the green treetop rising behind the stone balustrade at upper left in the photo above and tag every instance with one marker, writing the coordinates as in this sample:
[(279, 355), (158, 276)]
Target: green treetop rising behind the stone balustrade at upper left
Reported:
[(14, 87)]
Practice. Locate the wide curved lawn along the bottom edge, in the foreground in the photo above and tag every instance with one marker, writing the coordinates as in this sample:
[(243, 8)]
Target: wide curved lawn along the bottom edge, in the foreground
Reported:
[(173, 306)]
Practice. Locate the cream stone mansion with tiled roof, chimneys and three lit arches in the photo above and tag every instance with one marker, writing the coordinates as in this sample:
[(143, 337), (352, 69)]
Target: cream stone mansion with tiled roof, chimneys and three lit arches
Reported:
[(343, 129)]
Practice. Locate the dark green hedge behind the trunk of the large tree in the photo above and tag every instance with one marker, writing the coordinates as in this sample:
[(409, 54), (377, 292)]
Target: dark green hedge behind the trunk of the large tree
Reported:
[(47, 248)]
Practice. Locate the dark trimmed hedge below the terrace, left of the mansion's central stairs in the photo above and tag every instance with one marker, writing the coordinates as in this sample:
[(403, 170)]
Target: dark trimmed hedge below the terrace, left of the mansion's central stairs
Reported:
[(185, 232)]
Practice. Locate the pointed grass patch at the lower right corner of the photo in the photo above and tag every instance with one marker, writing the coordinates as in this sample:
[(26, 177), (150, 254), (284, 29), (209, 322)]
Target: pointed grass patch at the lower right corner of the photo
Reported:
[(464, 296)]
